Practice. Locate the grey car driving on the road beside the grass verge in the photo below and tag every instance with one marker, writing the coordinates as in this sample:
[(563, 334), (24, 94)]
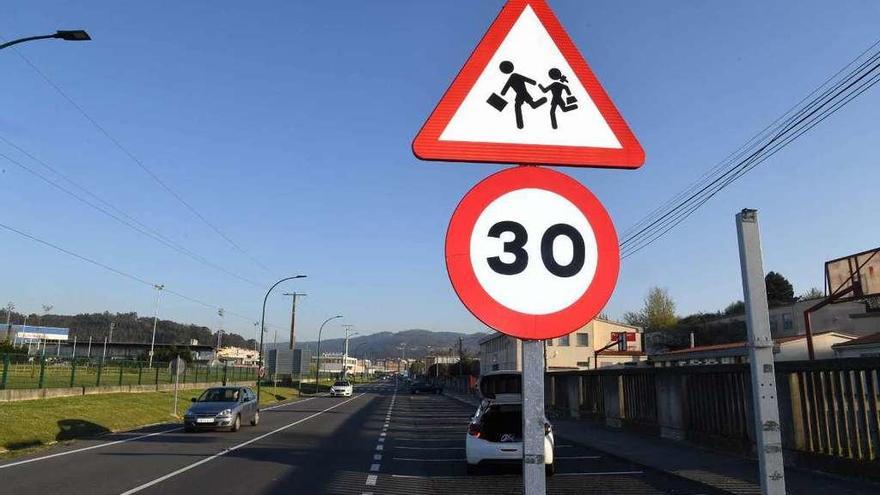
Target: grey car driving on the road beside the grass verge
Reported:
[(222, 407)]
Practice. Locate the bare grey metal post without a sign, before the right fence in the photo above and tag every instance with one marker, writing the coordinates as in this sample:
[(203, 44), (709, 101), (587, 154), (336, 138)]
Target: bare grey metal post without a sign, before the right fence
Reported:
[(767, 428)]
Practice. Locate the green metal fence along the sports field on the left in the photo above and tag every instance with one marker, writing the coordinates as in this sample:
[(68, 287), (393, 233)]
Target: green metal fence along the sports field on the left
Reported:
[(34, 372)]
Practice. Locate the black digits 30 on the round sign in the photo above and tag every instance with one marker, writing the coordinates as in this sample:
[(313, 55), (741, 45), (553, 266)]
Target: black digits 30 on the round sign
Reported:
[(521, 256)]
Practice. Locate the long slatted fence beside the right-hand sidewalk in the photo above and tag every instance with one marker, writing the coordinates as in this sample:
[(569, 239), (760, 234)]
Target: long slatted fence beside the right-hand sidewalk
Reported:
[(829, 409)]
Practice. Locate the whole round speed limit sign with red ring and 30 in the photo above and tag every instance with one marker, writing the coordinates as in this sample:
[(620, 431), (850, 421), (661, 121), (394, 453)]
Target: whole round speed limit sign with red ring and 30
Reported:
[(532, 253)]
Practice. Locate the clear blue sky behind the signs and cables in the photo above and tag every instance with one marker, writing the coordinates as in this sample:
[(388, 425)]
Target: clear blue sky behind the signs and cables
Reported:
[(289, 124)]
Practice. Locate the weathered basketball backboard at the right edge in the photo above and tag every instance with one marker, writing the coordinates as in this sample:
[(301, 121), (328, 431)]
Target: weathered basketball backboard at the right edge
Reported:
[(862, 267)]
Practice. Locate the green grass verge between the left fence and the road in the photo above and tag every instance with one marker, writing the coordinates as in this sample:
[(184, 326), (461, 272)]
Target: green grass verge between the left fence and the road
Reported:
[(31, 424)]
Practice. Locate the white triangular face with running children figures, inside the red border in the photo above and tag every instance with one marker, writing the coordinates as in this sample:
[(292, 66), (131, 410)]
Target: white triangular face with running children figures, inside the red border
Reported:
[(529, 94)]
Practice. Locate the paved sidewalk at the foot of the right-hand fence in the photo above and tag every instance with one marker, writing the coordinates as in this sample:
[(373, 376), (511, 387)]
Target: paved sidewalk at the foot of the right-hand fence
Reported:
[(726, 472)]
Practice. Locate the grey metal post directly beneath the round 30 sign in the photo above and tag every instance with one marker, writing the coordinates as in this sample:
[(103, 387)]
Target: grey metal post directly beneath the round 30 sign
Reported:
[(534, 474)]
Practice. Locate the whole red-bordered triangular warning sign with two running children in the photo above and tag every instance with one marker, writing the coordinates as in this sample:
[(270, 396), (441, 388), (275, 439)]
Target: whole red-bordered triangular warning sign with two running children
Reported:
[(526, 95)]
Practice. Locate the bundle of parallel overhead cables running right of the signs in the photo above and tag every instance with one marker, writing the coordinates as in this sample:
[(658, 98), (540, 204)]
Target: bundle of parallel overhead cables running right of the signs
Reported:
[(794, 123)]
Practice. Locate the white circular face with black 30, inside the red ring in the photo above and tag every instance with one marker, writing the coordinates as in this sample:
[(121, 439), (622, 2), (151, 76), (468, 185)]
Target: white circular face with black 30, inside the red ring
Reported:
[(533, 251)]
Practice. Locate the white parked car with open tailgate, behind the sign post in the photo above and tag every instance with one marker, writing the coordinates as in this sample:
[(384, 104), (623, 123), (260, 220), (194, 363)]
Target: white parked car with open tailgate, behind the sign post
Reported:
[(495, 432)]
